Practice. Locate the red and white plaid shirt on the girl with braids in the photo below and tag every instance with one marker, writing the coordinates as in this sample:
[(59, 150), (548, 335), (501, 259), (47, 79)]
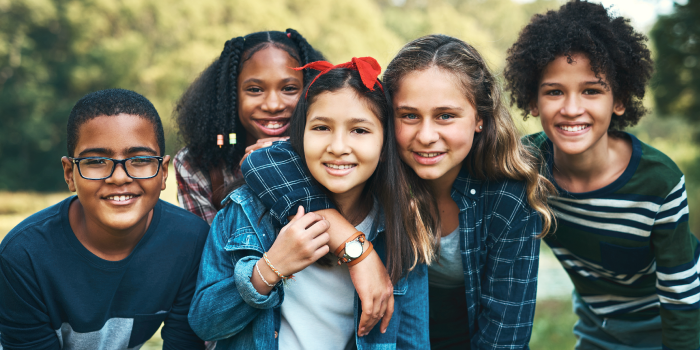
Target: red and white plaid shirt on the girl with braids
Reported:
[(194, 187)]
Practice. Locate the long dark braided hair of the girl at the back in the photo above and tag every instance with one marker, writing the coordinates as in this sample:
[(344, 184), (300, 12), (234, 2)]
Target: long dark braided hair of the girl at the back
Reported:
[(209, 105)]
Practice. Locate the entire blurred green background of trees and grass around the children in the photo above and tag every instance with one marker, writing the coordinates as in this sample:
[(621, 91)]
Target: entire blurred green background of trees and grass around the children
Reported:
[(52, 52)]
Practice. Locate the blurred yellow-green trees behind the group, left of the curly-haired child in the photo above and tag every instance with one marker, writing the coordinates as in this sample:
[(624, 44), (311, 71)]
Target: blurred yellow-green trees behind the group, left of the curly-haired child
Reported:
[(52, 52)]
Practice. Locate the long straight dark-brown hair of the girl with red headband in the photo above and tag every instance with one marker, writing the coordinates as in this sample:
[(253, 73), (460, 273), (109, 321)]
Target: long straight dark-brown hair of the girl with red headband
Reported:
[(408, 240)]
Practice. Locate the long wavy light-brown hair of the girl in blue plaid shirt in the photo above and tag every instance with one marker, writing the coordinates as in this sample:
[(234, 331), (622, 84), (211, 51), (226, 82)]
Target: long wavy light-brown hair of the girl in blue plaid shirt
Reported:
[(497, 151)]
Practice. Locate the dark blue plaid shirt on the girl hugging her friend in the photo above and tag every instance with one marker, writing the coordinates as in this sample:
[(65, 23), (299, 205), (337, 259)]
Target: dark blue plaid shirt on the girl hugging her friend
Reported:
[(497, 228)]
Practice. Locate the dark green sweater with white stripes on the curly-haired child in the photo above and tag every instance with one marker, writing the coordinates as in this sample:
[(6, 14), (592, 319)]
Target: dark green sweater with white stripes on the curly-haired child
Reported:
[(627, 246)]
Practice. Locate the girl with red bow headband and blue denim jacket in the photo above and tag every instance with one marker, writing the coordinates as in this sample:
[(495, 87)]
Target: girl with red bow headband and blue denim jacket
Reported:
[(261, 290)]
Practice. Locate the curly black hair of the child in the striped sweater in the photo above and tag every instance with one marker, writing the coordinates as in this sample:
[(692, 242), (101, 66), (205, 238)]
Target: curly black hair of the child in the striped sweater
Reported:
[(610, 43)]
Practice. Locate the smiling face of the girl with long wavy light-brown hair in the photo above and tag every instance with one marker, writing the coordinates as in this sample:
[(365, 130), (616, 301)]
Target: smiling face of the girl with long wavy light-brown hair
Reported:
[(435, 123)]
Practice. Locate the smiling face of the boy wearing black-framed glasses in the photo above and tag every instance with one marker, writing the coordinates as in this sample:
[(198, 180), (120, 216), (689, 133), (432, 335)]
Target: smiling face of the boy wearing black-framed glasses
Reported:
[(118, 203)]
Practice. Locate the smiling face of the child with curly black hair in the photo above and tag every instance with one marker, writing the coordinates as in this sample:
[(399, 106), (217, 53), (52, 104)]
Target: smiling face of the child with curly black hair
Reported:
[(575, 108)]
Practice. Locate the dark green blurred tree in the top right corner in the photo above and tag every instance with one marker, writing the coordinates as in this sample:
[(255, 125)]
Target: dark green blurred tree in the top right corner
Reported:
[(676, 82)]
